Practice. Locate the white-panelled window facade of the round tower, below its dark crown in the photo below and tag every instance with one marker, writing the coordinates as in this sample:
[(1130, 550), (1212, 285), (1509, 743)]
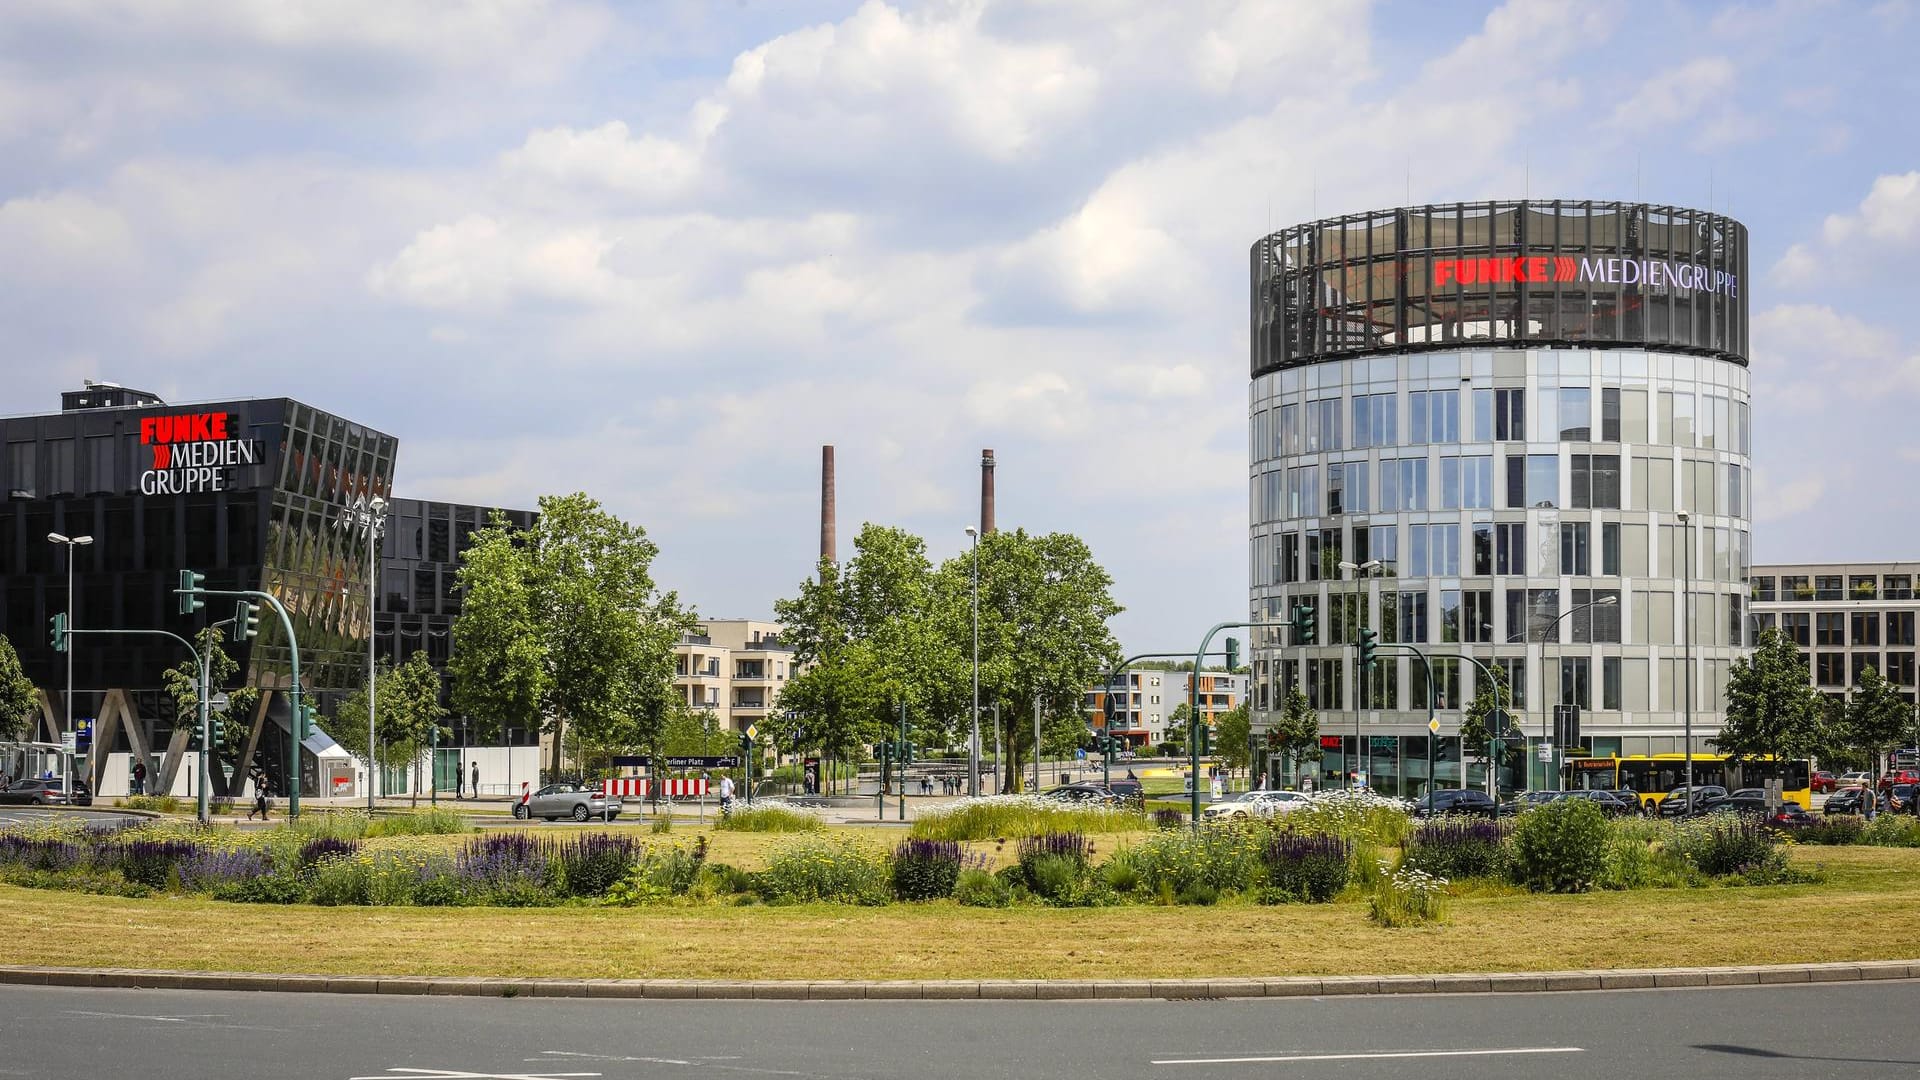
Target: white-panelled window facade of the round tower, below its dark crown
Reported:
[(1525, 510)]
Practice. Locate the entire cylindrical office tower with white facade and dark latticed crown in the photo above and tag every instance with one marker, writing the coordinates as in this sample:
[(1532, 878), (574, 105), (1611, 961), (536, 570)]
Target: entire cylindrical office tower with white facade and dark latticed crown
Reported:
[(1508, 431)]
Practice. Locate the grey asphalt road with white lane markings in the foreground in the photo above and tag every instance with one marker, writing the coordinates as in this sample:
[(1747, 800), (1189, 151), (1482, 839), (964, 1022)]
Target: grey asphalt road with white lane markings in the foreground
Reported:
[(1792, 1033)]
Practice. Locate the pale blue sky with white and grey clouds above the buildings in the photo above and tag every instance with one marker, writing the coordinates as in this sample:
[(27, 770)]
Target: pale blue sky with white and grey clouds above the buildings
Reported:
[(665, 251)]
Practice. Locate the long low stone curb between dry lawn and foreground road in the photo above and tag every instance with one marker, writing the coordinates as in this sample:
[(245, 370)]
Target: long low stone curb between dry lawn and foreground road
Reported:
[(972, 991)]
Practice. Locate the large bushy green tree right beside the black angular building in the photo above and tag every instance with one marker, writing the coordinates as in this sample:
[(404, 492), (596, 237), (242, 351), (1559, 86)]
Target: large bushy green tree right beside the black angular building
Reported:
[(567, 626)]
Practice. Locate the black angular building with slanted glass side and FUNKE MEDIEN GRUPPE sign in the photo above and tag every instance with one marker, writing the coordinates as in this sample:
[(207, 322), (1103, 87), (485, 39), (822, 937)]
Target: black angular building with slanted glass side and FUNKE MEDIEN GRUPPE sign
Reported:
[(251, 493)]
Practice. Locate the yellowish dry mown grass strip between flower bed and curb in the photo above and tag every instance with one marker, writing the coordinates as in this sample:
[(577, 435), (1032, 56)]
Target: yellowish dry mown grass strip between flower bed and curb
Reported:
[(1863, 912)]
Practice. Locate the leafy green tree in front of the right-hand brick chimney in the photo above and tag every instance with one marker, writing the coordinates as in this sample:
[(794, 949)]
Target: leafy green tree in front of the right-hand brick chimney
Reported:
[(1044, 629)]
